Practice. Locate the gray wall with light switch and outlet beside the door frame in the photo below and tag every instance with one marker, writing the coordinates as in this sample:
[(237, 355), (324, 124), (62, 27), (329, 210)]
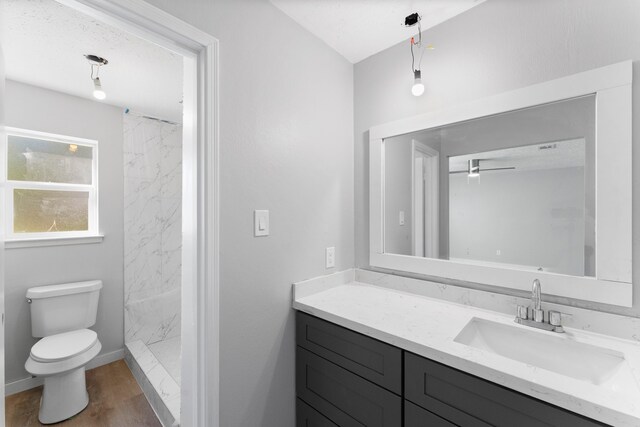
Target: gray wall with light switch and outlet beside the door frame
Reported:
[(286, 144)]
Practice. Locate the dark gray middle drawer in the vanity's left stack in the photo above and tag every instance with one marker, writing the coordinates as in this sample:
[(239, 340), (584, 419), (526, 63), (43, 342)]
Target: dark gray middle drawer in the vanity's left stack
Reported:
[(343, 397)]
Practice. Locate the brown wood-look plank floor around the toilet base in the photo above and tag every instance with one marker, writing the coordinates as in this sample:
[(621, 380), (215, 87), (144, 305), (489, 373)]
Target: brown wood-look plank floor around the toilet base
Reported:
[(115, 400)]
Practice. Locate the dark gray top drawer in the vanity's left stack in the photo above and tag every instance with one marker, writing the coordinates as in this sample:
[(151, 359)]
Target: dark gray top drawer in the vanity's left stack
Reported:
[(371, 359)]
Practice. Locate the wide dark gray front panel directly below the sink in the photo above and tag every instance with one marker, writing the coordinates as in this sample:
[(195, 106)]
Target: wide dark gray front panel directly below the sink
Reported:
[(467, 400)]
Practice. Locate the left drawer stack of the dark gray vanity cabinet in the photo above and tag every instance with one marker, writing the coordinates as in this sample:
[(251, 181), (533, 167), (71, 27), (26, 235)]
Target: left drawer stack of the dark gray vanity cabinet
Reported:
[(349, 379)]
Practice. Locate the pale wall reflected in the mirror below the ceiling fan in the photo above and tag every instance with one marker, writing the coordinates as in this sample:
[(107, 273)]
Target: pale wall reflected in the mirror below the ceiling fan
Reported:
[(532, 218)]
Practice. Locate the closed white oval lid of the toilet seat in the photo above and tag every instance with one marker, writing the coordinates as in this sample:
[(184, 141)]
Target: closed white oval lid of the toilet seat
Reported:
[(63, 346)]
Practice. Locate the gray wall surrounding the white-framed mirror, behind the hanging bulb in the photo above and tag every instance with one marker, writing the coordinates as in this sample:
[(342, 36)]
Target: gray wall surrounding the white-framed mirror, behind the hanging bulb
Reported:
[(495, 47)]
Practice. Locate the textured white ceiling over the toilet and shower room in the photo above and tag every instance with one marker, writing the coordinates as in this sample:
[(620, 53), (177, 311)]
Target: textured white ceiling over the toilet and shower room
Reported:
[(44, 44)]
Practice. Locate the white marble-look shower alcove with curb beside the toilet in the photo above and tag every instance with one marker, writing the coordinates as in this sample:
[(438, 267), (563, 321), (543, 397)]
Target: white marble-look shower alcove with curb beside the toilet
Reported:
[(152, 265)]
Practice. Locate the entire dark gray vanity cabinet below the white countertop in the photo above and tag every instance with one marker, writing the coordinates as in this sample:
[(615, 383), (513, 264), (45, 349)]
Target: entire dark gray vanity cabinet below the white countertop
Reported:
[(346, 379)]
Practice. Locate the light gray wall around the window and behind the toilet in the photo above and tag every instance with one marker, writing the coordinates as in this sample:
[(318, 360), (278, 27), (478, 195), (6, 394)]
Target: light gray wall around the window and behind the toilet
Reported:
[(43, 110)]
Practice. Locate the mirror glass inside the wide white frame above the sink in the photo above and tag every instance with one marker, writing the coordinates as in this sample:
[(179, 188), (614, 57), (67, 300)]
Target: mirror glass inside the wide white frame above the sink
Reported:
[(514, 190)]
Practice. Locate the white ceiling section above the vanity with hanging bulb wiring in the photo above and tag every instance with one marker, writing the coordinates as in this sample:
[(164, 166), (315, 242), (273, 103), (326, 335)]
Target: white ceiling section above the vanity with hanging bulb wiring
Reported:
[(358, 29)]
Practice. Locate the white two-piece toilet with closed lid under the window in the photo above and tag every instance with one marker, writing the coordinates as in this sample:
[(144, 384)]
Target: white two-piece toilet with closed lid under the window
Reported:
[(60, 314)]
